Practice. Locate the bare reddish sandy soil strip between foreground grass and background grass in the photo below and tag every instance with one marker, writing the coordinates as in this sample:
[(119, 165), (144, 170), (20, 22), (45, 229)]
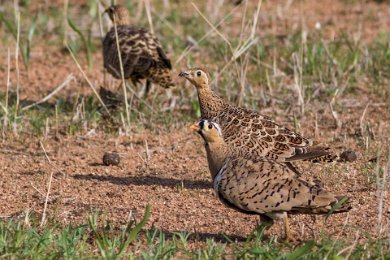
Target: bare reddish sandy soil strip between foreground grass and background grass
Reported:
[(173, 179)]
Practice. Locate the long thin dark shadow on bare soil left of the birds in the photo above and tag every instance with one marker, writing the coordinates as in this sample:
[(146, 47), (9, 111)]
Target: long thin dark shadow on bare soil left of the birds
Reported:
[(147, 181)]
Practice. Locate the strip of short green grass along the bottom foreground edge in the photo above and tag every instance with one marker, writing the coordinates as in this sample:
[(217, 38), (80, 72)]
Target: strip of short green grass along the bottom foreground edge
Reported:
[(99, 238)]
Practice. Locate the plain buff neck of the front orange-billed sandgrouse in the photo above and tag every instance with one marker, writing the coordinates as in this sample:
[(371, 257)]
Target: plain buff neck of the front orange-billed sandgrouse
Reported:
[(216, 156)]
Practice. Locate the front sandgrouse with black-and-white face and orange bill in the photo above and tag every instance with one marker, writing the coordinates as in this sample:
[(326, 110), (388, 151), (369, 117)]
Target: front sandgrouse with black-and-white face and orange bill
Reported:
[(257, 185)]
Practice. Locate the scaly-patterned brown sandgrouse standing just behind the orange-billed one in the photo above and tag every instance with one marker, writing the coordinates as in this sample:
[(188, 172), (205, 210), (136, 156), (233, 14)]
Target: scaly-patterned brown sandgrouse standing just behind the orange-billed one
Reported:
[(247, 130)]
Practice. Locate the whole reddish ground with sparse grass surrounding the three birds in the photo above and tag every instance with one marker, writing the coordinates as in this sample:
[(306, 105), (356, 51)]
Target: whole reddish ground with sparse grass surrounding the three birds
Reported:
[(323, 71)]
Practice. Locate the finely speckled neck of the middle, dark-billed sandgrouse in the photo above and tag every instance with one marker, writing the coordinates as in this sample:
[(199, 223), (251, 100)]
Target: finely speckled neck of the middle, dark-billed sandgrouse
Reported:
[(210, 103)]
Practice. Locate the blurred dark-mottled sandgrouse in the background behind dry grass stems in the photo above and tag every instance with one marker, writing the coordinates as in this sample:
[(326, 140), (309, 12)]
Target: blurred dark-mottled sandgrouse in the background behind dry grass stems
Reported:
[(141, 52)]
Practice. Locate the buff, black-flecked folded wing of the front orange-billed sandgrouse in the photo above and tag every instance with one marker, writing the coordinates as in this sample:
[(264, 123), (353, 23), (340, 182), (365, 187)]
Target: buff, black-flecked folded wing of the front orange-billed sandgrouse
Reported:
[(265, 186)]
